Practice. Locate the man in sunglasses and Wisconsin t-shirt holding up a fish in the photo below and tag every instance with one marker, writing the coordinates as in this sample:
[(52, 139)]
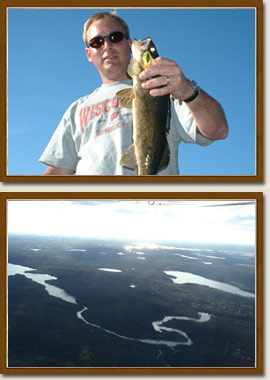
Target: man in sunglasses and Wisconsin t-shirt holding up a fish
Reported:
[(94, 132)]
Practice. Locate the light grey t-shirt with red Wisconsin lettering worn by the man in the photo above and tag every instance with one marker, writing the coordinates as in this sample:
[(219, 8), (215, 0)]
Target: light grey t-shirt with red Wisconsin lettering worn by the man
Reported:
[(94, 133)]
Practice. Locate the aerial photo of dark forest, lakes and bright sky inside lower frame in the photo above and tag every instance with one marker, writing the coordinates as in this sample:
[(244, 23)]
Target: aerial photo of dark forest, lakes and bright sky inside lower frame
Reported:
[(131, 283)]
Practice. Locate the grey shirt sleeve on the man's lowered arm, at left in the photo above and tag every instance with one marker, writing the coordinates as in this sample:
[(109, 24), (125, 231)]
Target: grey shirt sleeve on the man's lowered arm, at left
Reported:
[(61, 150)]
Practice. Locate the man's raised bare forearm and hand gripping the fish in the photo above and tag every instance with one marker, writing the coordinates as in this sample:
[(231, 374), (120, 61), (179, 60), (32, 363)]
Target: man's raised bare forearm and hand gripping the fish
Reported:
[(207, 112)]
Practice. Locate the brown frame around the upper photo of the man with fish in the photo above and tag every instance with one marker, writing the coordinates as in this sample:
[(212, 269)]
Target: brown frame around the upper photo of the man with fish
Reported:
[(258, 4)]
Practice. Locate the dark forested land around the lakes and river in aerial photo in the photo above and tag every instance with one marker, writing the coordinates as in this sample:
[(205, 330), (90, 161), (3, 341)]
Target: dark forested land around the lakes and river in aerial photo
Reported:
[(44, 331)]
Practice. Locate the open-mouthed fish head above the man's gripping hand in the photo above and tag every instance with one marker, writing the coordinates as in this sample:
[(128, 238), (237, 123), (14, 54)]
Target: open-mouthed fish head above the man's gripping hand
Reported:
[(144, 51)]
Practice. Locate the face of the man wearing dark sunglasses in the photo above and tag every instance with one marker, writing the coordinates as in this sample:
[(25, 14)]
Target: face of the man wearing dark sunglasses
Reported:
[(111, 59)]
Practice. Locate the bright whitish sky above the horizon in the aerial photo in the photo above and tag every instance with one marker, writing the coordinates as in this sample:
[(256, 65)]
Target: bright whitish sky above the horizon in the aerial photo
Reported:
[(231, 222)]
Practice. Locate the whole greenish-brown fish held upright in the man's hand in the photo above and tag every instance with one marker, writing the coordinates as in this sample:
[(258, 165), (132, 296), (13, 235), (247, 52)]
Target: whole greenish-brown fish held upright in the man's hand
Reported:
[(150, 151)]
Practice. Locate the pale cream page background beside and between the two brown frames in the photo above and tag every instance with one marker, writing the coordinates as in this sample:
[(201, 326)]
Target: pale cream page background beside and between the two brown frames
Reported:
[(182, 187)]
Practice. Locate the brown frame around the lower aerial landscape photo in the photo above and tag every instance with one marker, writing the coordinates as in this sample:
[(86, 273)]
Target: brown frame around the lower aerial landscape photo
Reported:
[(258, 196)]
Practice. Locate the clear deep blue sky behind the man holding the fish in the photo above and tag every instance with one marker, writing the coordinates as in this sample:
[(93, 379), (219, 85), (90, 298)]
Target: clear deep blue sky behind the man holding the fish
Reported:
[(48, 70)]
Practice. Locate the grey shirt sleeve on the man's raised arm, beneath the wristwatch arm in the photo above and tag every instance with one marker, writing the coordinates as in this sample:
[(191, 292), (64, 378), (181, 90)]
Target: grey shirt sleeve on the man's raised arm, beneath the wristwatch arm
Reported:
[(186, 125)]
